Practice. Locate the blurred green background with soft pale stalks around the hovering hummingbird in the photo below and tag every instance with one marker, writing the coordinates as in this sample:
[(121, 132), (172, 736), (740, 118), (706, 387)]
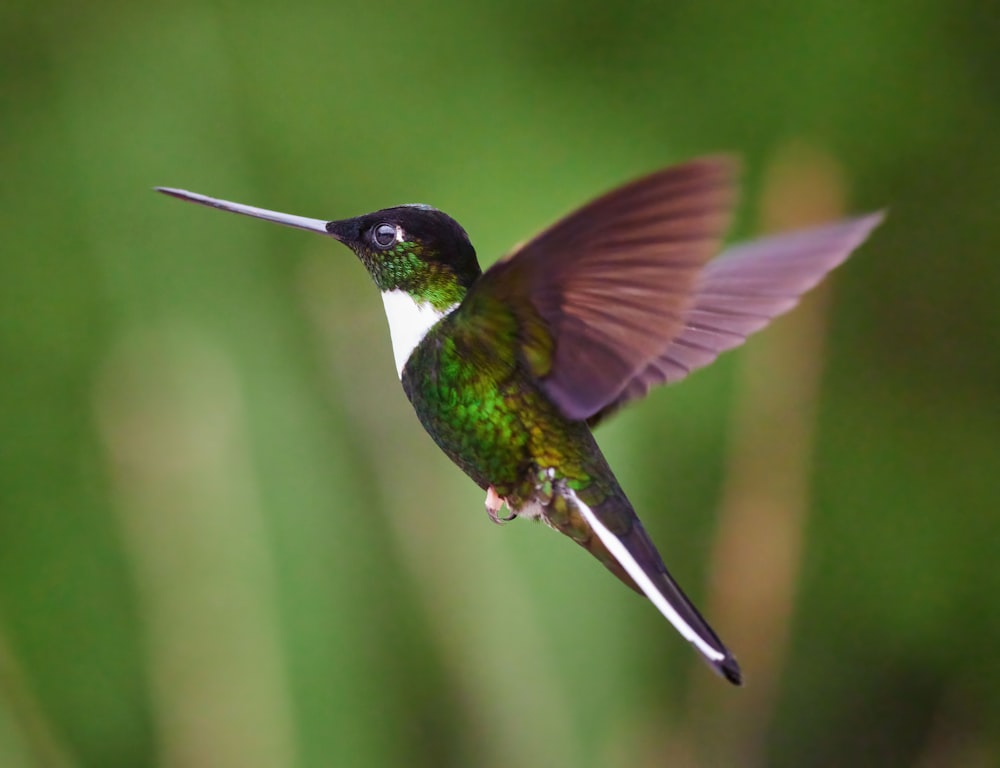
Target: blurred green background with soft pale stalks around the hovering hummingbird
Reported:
[(225, 539)]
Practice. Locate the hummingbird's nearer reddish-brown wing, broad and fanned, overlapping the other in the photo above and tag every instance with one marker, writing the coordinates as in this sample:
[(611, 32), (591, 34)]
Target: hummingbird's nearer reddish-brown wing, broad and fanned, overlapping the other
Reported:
[(601, 293)]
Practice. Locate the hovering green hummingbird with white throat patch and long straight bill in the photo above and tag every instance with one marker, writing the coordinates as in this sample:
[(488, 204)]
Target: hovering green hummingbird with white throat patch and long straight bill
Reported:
[(510, 369)]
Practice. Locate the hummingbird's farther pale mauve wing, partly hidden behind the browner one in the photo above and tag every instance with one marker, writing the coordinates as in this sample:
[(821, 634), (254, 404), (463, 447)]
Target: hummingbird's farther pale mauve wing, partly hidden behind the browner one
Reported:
[(741, 292)]
